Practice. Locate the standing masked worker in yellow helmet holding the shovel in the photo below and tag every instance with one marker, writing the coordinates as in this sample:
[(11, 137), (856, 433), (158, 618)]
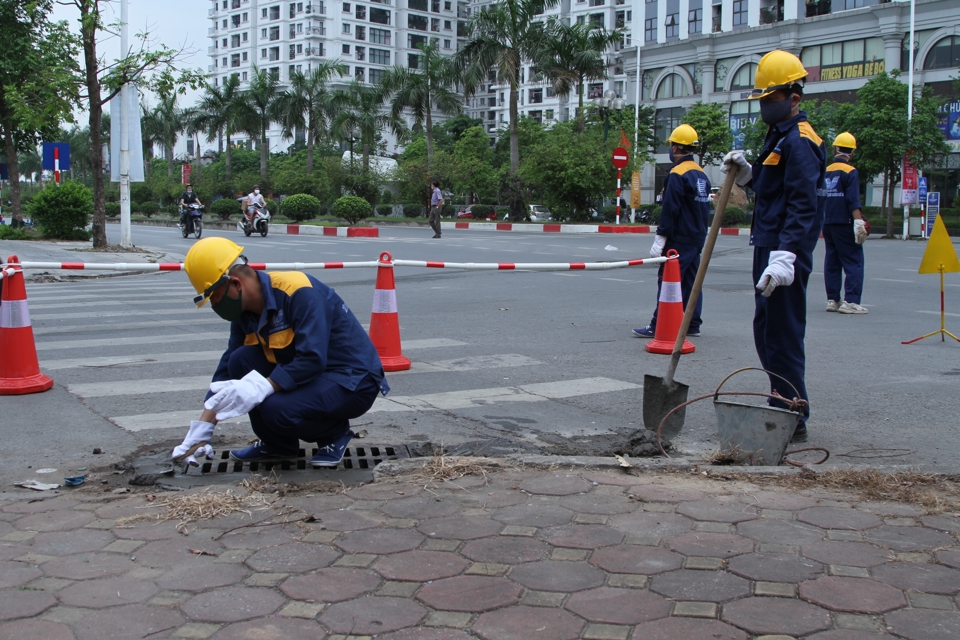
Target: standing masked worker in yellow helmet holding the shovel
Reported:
[(788, 180)]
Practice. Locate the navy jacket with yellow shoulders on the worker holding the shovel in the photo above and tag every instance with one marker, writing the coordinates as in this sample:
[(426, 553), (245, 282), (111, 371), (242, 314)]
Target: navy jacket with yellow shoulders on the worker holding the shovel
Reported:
[(788, 179)]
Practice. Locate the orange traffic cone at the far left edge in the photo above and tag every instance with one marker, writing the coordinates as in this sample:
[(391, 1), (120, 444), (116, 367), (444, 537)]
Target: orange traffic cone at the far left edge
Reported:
[(19, 369)]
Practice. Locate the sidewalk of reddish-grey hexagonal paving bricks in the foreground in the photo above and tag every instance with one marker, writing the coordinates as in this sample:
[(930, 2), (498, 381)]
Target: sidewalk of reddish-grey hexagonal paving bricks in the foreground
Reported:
[(516, 555)]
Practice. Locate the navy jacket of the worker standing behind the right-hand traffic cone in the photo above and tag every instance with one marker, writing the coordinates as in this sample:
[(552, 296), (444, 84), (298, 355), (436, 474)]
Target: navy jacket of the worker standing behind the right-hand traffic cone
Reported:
[(686, 204)]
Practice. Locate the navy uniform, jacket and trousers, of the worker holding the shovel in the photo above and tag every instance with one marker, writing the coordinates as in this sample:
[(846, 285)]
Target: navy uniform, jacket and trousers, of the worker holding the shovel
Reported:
[(788, 180)]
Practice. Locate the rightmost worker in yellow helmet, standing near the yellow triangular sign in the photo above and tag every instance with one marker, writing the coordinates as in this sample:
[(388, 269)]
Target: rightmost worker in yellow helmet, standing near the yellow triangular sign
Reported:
[(844, 231)]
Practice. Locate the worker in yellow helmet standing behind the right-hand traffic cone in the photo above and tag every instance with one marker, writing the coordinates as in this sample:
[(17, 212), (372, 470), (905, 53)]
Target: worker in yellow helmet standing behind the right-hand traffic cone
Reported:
[(683, 221)]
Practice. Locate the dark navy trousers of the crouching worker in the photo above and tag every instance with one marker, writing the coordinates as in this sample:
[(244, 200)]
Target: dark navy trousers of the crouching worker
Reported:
[(317, 411)]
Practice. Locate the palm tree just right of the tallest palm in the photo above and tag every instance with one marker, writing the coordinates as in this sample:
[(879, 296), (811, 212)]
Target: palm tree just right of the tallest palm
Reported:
[(574, 55)]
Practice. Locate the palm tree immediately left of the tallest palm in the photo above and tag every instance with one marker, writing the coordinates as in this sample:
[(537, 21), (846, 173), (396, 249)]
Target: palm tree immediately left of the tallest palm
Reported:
[(428, 87)]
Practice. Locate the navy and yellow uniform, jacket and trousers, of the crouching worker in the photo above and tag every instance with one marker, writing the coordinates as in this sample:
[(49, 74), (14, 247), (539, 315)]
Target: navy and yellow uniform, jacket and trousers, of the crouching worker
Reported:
[(308, 342)]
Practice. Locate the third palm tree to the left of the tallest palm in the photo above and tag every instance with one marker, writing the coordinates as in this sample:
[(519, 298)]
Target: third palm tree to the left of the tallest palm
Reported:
[(308, 104)]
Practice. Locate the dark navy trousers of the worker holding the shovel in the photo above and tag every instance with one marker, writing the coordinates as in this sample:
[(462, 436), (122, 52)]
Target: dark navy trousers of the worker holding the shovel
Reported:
[(779, 326)]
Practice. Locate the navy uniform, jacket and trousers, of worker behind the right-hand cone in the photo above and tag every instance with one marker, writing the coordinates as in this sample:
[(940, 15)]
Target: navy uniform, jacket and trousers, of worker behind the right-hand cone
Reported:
[(683, 222)]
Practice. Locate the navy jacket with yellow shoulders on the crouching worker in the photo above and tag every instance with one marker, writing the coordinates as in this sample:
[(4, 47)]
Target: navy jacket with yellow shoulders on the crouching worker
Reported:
[(308, 331)]
